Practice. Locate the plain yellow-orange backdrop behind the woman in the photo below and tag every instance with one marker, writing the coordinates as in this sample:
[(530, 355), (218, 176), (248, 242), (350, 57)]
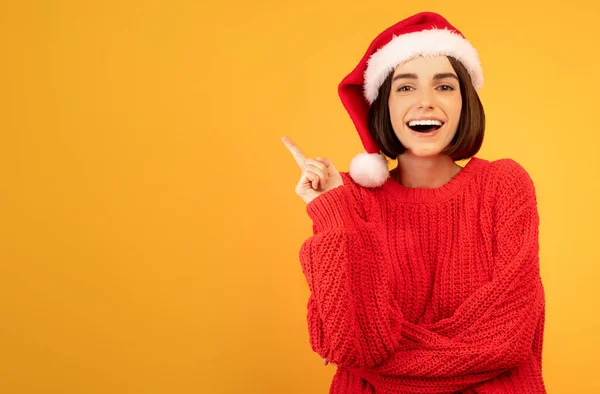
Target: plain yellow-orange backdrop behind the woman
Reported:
[(150, 229)]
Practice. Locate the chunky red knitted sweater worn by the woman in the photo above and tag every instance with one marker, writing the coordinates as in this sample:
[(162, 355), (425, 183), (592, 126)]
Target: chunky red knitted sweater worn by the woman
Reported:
[(429, 290)]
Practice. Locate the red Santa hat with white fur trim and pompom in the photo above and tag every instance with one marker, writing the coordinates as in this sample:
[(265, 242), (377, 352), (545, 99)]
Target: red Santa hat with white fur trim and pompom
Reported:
[(423, 34)]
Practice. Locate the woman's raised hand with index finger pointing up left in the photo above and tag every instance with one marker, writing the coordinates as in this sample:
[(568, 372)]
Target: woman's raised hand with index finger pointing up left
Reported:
[(318, 176)]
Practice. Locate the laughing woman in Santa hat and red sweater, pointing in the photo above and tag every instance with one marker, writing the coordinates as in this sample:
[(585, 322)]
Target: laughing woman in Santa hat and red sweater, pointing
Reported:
[(424, 279)]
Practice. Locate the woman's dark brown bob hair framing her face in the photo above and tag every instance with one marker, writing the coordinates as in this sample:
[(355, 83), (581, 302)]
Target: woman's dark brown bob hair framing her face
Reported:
[(469, 133)]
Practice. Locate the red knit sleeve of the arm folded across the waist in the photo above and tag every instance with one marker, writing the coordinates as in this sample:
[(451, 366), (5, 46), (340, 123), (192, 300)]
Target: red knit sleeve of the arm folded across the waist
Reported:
[(494, 330)]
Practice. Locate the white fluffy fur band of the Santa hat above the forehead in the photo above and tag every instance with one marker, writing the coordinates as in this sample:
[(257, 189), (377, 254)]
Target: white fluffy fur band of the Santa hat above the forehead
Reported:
[(434, 42)]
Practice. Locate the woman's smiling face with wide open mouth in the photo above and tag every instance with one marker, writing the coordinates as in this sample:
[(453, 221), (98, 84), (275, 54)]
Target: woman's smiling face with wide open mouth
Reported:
[(425, 104)]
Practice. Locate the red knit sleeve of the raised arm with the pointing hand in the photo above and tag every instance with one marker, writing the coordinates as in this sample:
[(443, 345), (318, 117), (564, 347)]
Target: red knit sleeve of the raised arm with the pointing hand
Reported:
[(353, 318)]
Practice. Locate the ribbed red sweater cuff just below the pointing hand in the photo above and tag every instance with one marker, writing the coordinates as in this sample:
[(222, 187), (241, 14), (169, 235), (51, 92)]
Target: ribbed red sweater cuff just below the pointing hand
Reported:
[(335, 208)]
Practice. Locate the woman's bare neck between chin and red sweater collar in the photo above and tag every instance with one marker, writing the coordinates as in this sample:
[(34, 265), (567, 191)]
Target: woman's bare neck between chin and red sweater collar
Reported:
[(424, 172)]
